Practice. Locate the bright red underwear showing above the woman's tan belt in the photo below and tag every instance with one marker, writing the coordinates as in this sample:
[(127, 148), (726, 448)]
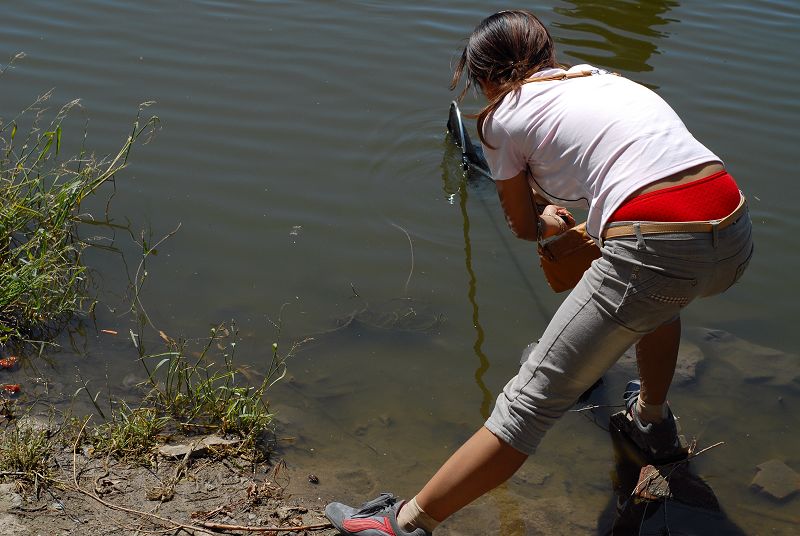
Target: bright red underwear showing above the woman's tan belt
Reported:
[(709, 198)]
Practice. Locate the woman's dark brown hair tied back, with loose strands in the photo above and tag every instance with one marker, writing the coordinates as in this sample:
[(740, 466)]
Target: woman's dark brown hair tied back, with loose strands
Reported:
[(504, 50)]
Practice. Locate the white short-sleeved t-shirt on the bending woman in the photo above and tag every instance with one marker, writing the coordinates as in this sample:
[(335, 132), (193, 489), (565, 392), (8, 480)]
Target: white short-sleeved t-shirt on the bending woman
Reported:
[(589, 142)]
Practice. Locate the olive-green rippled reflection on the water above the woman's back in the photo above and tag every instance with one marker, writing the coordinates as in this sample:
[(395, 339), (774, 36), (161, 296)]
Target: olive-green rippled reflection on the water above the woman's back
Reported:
[(622, 31)]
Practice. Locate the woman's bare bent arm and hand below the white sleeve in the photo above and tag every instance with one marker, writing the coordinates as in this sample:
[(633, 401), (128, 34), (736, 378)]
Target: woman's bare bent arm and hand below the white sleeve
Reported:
[(517, 200)]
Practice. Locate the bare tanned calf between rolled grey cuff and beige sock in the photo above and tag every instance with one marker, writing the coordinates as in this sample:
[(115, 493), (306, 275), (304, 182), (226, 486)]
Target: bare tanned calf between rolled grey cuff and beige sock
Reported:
[(480, 465)]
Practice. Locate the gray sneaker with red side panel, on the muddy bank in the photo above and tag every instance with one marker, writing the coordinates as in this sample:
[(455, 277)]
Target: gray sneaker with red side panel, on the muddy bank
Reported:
[(377, 517)]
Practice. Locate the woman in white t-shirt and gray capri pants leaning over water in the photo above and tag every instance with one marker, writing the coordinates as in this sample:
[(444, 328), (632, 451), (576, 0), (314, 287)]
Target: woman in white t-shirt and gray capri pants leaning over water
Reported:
[(584, 137)]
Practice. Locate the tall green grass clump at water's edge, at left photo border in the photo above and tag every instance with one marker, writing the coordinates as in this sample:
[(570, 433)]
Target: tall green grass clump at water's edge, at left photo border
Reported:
[(42, 278)]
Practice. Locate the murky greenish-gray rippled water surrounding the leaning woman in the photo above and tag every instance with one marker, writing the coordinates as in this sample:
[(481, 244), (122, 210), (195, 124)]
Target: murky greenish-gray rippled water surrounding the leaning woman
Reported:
[(301, 141)]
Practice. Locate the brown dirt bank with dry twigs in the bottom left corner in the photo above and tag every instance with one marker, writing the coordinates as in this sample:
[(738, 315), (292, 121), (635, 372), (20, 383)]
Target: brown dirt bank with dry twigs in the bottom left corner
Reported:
[(198, 495)]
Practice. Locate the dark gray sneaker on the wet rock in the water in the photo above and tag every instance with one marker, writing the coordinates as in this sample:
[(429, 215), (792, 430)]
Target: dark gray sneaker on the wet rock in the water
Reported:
[(659, 442)]
